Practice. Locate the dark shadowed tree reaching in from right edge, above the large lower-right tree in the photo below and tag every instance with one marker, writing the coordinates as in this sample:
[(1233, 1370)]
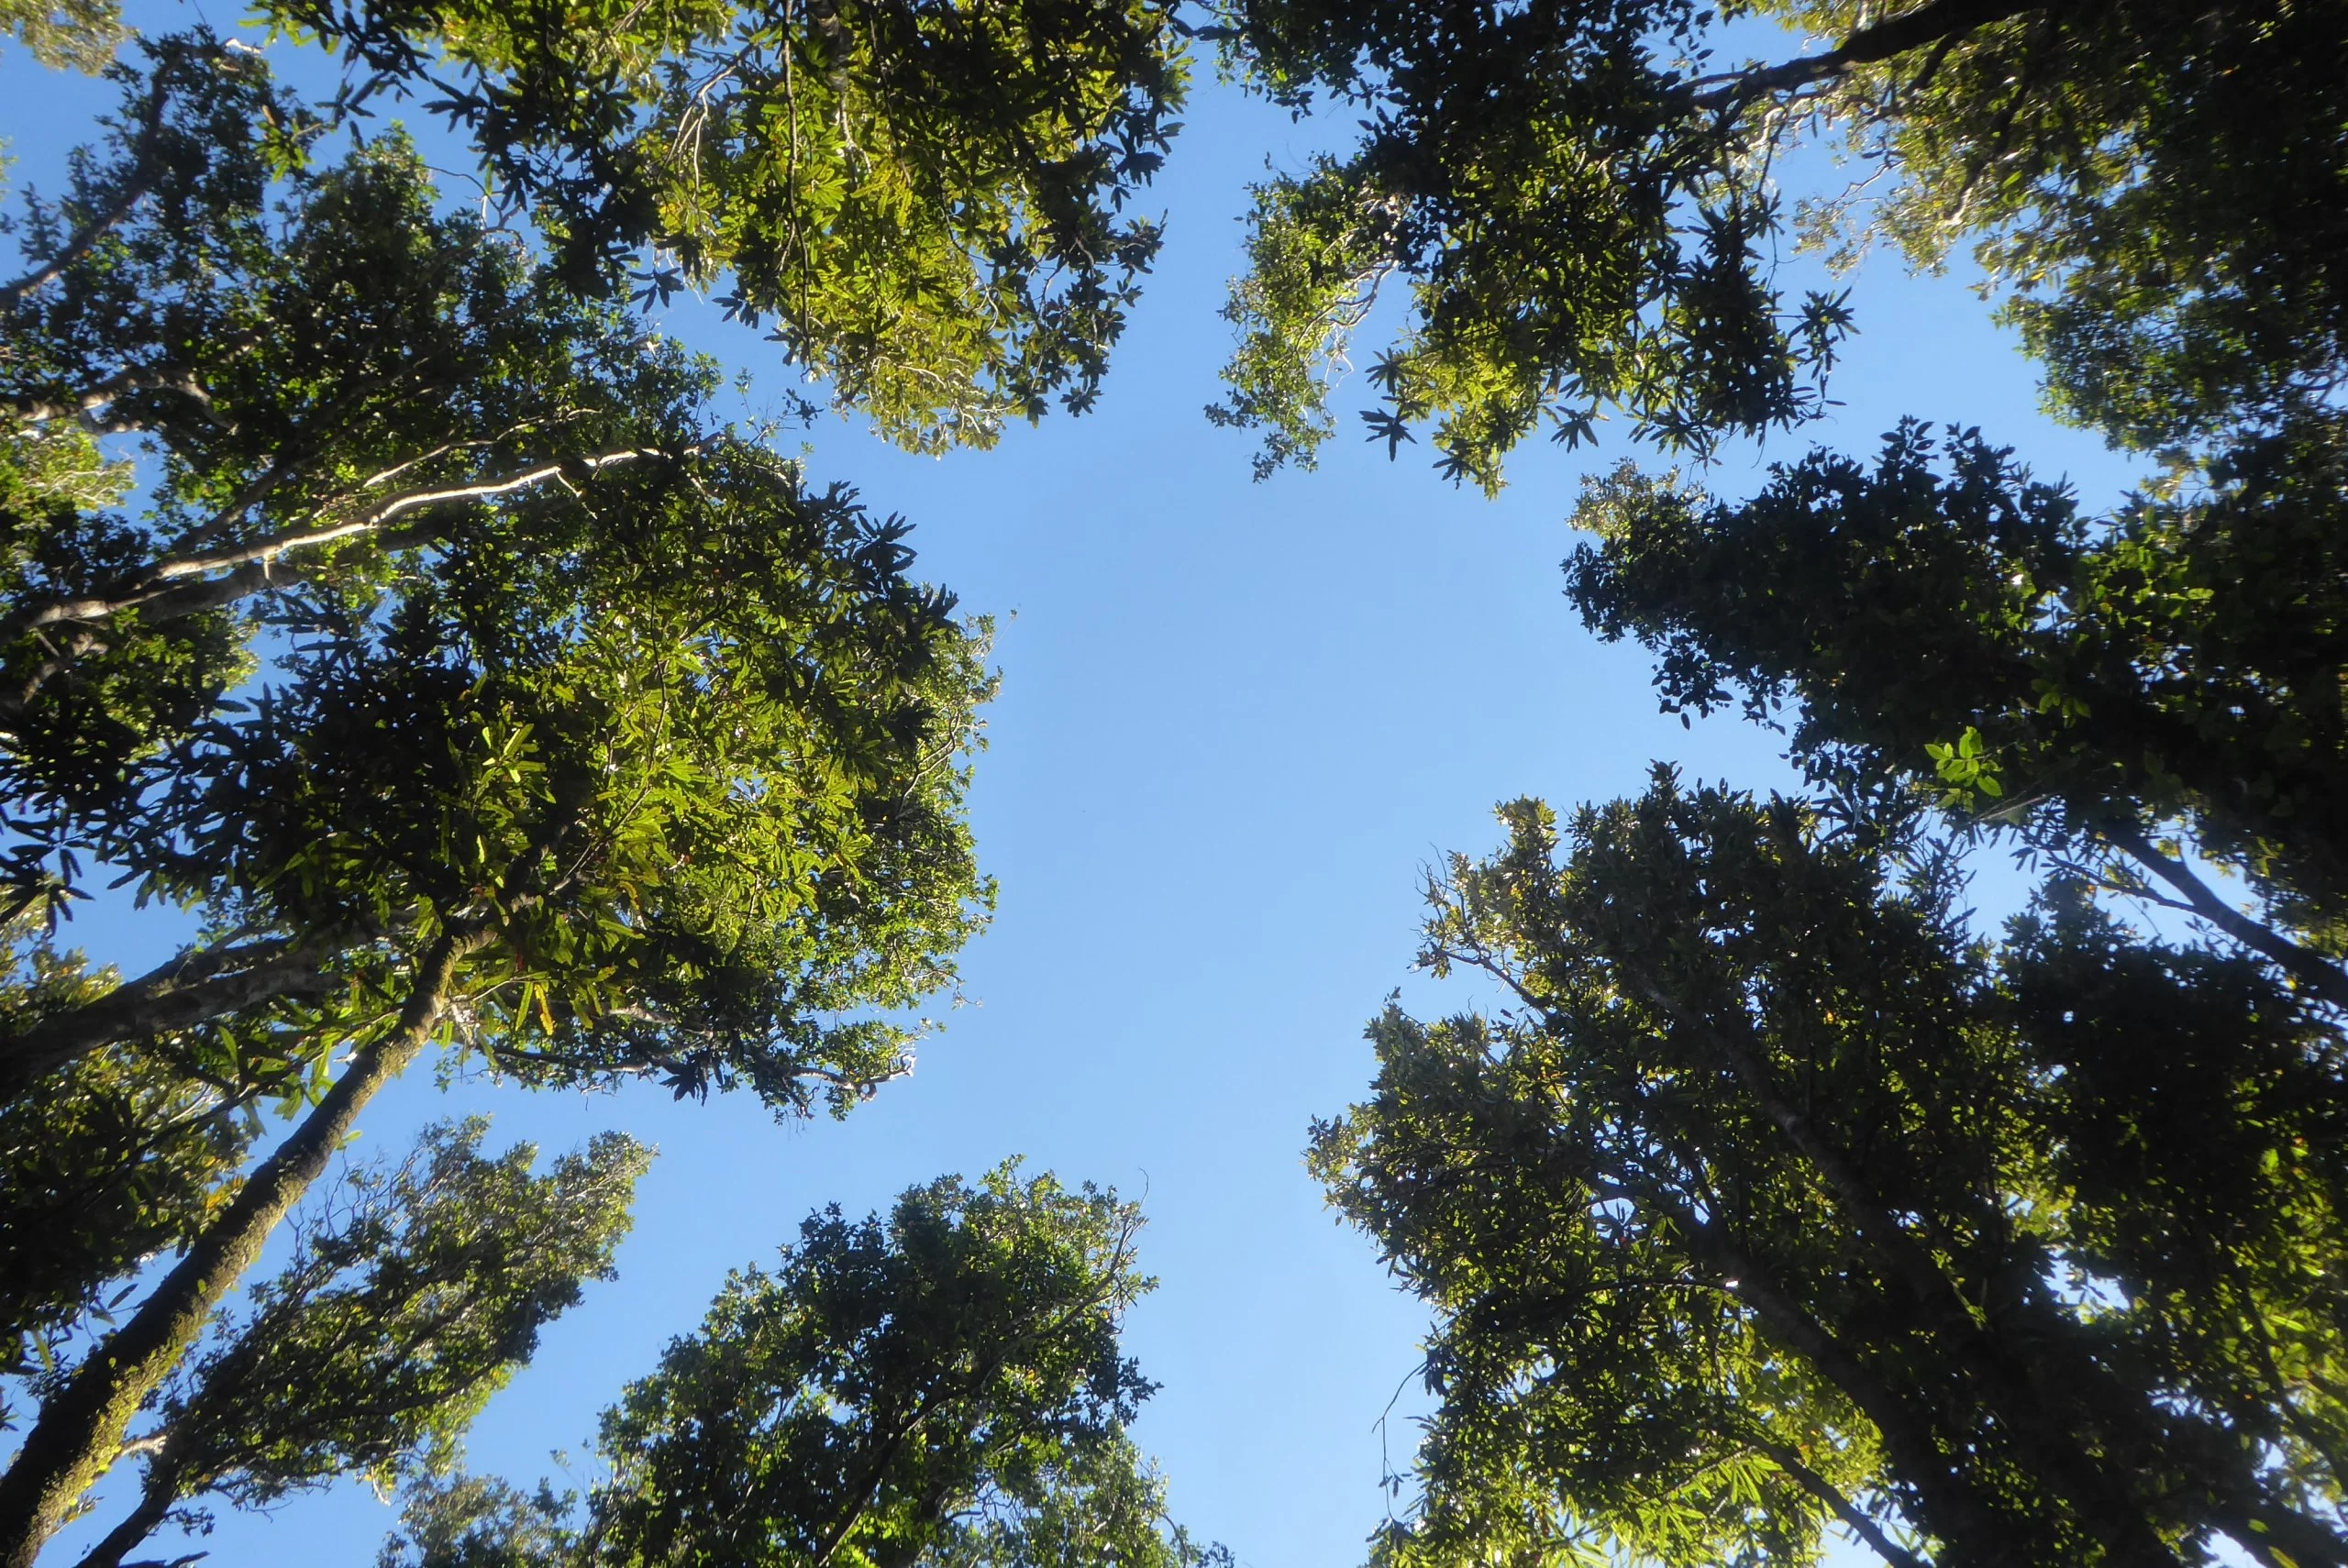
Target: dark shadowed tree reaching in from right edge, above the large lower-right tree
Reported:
[(1943, 623)]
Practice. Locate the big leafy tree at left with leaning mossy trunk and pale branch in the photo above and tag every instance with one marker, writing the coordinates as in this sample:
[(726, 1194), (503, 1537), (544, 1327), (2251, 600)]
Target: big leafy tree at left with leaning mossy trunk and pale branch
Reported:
[(595, 743)]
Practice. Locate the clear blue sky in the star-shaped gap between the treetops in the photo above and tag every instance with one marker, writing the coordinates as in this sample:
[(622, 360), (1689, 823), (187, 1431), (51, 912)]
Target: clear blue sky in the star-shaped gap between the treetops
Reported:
[(1236, 722)]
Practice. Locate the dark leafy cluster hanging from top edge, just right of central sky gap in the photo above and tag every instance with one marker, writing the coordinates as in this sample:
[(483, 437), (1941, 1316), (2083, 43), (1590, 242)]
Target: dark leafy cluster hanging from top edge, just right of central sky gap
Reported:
[(1572, 236)]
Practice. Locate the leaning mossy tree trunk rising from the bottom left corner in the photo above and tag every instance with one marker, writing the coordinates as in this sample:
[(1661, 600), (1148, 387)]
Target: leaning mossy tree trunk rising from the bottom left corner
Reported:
[(81, 1426)]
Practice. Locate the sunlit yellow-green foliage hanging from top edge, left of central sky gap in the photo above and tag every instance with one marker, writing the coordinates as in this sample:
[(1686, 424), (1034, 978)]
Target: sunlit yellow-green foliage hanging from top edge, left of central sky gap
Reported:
[(926, 201)]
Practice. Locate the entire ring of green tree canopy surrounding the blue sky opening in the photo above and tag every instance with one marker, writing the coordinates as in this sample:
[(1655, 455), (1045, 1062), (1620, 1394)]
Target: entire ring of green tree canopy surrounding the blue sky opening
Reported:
[(386, 586)]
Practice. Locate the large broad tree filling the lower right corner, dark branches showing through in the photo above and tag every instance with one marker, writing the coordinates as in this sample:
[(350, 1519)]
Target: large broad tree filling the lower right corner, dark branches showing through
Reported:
[(1779, 1201)]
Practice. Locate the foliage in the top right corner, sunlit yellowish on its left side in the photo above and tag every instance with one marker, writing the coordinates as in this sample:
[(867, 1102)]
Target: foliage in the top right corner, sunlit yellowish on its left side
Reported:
[(2157, 191)]
